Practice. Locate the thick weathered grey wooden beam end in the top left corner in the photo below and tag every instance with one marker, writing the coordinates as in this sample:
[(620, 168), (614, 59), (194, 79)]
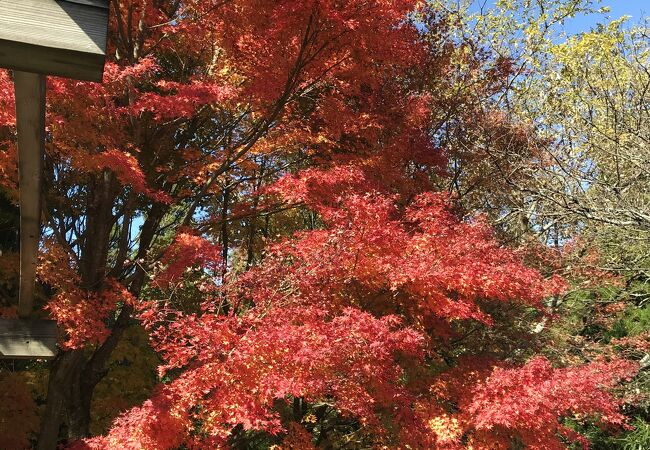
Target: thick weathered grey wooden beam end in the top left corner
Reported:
[(54, 37)]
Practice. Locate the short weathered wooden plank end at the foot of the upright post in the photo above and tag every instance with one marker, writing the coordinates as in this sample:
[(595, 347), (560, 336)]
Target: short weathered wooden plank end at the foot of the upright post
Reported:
[(28, 339)]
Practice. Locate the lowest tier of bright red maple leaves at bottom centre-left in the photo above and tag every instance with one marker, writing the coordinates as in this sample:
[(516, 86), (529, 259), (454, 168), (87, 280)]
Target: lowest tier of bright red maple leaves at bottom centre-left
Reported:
[(236, 369)]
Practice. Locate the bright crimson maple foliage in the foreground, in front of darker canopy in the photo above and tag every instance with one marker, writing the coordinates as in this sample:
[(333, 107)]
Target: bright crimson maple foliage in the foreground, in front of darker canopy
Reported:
[(344, 315)]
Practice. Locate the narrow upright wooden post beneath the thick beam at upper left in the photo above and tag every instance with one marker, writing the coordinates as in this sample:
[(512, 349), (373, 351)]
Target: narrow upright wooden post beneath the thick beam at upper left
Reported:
[(30, 122)]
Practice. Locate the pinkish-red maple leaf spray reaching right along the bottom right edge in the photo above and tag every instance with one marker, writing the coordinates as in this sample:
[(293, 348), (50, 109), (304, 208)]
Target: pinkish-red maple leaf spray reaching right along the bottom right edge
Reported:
[(495, 403)]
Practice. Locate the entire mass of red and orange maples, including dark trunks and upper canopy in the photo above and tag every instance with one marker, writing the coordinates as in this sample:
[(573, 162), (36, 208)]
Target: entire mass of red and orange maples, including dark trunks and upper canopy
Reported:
[(258, 184)]
